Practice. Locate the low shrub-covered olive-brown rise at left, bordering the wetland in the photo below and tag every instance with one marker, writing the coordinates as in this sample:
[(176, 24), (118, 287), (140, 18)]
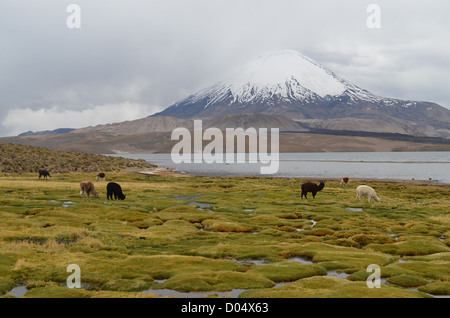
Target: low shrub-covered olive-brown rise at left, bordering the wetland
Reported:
[(25, 158)]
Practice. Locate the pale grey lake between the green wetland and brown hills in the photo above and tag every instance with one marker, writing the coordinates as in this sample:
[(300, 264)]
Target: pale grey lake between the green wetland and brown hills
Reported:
[(370, 165)]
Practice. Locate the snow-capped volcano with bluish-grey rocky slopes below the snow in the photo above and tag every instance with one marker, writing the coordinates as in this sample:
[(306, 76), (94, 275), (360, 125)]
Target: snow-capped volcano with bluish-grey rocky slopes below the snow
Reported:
[(291, 84)]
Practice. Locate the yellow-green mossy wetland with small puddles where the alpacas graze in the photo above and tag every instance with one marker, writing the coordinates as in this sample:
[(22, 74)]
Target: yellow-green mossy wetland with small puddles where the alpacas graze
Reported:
[(221, 234)]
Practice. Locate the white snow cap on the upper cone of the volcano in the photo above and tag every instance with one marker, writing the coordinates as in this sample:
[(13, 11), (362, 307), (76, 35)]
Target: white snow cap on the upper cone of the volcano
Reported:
[(286, 75)]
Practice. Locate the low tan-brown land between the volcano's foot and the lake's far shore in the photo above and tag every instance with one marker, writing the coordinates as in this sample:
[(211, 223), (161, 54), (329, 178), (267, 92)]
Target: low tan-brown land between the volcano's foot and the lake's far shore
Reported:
[(318, 140)]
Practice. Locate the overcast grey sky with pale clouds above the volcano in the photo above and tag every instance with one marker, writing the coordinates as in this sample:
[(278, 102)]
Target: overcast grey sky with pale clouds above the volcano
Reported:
[(132, 58)]
